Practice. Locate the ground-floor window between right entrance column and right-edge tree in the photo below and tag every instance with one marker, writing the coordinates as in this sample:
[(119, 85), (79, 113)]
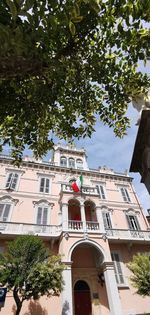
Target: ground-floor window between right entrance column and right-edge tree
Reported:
[(117, 267)]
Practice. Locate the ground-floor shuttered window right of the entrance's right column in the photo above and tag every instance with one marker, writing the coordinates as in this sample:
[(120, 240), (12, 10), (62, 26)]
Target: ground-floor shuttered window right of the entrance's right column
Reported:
[(118, 268)]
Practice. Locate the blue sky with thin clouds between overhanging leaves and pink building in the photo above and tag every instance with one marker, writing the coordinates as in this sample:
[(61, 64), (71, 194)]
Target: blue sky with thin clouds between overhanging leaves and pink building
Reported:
[(105, 149)]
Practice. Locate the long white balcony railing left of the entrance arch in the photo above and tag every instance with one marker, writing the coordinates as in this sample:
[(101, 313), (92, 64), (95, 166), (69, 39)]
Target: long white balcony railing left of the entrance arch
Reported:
[(24, 228)]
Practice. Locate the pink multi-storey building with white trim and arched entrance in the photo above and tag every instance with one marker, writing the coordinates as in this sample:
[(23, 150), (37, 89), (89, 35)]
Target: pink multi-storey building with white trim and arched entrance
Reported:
[(97, 231)]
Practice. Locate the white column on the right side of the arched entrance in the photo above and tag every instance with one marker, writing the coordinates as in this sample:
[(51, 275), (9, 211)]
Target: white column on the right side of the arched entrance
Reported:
[(112, 290)]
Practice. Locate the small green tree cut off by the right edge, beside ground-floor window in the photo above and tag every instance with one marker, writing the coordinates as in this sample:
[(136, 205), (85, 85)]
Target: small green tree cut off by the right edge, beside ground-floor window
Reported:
[(140, 266)]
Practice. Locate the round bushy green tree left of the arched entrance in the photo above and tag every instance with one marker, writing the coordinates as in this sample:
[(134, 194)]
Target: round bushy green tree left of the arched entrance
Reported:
[(29, 271)]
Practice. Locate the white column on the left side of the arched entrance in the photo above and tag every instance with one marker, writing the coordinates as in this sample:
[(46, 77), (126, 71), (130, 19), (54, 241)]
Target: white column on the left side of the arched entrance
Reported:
[(67, 308)]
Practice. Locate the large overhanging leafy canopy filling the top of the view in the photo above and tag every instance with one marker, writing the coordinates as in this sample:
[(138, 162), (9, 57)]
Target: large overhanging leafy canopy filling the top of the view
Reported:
[(63, 63)]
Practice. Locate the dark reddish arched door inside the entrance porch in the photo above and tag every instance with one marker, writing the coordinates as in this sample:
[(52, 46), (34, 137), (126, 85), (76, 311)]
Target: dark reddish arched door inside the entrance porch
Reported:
[(82, 298)]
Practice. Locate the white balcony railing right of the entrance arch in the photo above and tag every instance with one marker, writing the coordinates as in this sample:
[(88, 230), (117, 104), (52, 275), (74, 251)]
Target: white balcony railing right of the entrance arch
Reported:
[(128, 234)]
